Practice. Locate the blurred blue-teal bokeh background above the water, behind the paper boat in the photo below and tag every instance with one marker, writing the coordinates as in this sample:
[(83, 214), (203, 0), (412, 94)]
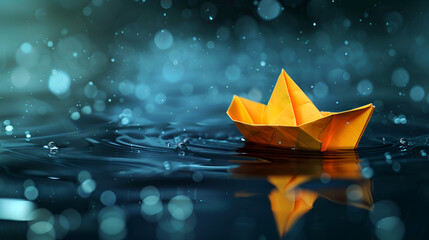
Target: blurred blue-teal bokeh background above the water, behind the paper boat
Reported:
[(137, 62)]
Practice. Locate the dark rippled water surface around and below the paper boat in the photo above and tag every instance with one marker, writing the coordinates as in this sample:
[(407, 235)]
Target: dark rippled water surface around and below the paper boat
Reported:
[(201, 181)]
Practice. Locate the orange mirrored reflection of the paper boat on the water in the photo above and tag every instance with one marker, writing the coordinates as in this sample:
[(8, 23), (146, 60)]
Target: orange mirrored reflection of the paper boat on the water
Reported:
[(334, 176)]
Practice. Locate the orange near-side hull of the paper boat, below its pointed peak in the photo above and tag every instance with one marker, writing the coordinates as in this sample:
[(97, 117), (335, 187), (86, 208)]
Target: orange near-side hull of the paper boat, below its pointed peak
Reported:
[(333, 131)]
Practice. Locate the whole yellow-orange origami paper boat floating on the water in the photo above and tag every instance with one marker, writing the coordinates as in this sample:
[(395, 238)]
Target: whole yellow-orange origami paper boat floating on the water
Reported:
[(291, 120)]
